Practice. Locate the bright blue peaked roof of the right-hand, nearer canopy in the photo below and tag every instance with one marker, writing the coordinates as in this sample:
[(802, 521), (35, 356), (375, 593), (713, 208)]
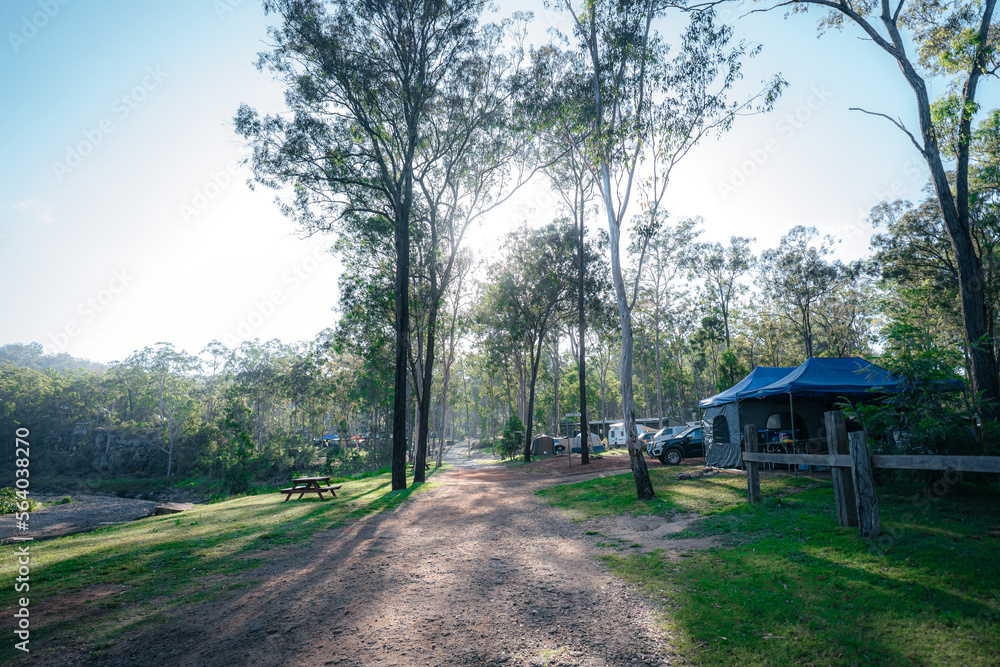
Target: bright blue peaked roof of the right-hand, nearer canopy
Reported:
[(830, 377)]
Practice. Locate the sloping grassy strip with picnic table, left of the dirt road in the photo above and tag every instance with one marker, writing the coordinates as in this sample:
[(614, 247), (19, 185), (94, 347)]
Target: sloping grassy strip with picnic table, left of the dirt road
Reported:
[(95, 587)]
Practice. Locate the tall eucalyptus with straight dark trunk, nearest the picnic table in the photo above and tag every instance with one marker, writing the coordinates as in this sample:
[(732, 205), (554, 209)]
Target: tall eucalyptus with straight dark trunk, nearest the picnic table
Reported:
[(361, 77)]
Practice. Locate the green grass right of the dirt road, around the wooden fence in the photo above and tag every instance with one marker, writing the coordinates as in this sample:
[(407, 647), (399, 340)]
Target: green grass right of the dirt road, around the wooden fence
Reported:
[(791, 587)]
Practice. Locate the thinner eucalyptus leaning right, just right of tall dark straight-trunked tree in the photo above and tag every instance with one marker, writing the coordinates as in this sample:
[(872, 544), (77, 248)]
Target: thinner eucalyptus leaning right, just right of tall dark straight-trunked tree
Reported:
[(476, 156)]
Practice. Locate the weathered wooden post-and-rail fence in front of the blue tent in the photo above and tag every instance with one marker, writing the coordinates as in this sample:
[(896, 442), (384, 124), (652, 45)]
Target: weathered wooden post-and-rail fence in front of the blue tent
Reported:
[(851, 467)]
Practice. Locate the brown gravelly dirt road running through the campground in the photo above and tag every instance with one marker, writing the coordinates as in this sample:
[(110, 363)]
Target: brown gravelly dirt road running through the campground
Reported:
[(475, 572)]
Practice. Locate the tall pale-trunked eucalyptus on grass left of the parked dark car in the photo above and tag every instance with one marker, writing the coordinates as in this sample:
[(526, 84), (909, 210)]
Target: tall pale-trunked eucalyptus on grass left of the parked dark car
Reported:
[(650, 110)]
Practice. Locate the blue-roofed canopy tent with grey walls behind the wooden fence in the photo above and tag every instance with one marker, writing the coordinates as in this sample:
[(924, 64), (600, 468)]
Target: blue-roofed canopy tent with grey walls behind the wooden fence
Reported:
[(793, 401)]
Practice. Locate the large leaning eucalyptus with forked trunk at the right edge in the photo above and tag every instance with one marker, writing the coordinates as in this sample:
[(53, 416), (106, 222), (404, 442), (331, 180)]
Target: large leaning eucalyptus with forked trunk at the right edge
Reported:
[(956, 46)]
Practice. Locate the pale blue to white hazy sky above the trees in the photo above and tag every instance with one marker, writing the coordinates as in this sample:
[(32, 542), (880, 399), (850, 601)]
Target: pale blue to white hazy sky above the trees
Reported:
[(125, 219)]
